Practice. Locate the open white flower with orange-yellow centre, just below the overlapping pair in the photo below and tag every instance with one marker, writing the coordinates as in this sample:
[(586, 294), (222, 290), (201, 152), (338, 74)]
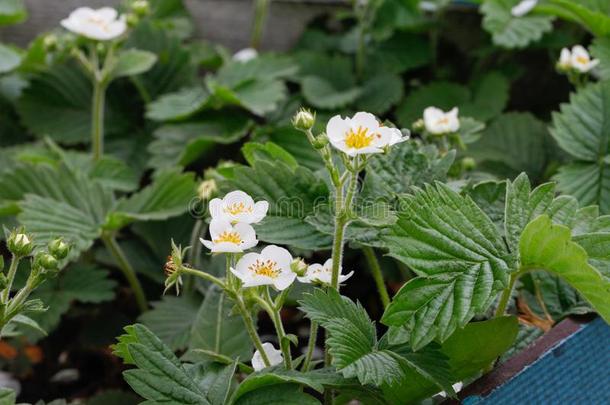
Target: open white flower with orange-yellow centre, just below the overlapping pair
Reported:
[(269, 267)]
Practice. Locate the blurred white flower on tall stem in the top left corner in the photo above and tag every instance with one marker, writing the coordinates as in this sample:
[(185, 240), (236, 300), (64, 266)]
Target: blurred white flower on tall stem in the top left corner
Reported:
[(102, 24)]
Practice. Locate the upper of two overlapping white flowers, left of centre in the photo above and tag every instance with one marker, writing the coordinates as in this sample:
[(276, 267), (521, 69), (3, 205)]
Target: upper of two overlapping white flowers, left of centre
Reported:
[(238, 206)]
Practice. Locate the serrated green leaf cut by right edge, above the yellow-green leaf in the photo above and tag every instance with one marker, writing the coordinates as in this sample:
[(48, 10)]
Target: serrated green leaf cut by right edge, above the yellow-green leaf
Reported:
[(581, 128)]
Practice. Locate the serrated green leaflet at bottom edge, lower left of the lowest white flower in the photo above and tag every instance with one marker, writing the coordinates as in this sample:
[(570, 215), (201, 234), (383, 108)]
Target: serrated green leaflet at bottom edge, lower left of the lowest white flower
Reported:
[(159, 376)]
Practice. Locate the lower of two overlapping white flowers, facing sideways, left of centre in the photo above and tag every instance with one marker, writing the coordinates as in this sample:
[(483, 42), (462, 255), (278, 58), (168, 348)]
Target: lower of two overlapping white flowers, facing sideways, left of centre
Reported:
[(229, 238)]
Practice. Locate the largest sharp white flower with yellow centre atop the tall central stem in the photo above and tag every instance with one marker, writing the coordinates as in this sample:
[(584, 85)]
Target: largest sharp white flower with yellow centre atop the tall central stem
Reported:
[(361, 134)]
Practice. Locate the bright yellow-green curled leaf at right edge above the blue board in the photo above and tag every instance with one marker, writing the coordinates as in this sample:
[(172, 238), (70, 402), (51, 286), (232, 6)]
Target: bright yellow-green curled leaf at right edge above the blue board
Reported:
[(548, 246)]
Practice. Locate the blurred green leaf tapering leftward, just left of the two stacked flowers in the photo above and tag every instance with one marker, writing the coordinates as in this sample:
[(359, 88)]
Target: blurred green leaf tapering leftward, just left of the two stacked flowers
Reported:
[(168, 196)]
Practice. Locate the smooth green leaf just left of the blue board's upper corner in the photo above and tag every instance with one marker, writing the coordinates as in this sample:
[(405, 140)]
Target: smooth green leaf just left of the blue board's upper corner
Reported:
[(473, 348)]
